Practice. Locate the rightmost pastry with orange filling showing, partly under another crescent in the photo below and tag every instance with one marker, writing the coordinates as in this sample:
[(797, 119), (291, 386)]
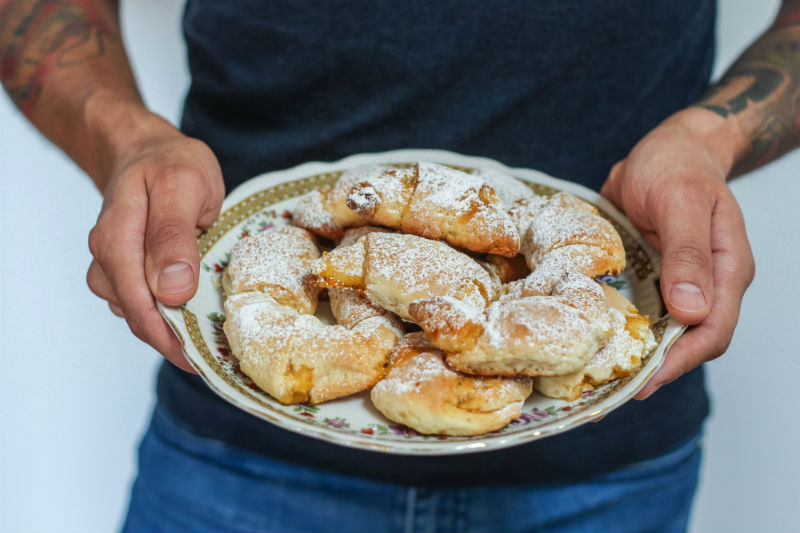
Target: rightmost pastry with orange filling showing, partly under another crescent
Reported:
[(621, 355)]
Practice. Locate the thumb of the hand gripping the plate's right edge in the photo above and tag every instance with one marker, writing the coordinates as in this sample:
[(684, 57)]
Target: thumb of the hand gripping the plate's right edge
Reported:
[(684, 230)]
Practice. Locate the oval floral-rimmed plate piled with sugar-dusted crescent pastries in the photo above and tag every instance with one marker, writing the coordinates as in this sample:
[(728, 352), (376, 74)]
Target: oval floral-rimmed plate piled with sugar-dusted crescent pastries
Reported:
[(423, 302)]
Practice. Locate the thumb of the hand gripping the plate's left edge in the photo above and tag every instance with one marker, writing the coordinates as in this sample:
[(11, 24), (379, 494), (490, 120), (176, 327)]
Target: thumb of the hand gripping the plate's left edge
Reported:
[(172, 259)]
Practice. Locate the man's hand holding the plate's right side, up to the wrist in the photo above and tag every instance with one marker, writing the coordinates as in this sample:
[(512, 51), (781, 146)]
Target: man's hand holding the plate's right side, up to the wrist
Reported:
[(672, 187)]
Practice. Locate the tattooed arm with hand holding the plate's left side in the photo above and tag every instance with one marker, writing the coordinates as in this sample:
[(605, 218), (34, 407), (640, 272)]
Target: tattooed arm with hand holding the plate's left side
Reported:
[(64, 65)]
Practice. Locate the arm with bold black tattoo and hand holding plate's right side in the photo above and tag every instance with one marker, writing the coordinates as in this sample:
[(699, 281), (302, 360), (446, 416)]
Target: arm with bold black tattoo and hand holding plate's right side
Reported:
[(673, 188)]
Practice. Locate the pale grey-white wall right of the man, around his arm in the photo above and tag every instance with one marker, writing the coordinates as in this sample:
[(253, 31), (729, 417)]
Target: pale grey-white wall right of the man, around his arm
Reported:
[(749, 478)]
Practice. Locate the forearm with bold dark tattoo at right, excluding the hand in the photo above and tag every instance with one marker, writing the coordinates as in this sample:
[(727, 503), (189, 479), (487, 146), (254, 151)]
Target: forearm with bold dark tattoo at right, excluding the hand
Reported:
[(756, 104)]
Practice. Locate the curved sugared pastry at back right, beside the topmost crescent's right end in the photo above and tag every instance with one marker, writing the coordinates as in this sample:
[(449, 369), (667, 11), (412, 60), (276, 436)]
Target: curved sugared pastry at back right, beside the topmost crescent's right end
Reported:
[(546, 224)]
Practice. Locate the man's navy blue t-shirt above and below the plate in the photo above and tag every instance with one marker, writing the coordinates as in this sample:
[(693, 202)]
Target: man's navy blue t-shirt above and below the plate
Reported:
[(566, 87)]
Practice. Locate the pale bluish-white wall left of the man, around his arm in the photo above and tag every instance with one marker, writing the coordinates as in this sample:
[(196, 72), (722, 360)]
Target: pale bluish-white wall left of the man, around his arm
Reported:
[(77, 387)]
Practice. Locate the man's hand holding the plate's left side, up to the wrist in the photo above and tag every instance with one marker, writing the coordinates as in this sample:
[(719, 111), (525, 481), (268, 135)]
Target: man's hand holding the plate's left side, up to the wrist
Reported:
[(161, 193)]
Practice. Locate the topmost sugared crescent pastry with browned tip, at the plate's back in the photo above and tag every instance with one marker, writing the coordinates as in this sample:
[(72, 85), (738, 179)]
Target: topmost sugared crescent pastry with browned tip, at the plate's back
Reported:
[(437, 202)]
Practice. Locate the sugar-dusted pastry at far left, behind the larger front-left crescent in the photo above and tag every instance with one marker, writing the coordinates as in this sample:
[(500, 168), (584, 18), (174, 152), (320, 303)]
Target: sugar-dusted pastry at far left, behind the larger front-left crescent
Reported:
[(275, 262)]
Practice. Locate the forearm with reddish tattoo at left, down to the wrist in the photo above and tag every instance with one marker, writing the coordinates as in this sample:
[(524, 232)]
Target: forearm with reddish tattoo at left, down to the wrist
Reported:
[(64, 65)]
